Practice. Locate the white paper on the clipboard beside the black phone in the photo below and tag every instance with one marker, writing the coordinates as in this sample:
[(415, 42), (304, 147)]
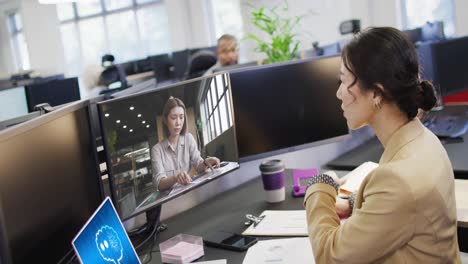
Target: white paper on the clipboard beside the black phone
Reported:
[(280, 223)]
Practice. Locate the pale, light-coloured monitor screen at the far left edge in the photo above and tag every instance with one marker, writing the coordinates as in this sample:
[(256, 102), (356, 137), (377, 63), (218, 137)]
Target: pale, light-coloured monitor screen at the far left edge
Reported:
[(13, 103)]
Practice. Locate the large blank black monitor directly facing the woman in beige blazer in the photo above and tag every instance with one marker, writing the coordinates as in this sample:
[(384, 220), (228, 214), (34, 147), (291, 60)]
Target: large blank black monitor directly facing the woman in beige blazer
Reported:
[(284, 105)]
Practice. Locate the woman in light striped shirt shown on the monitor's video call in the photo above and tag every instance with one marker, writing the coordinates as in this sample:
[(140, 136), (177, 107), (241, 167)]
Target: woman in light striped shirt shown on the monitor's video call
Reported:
[(173, 157)]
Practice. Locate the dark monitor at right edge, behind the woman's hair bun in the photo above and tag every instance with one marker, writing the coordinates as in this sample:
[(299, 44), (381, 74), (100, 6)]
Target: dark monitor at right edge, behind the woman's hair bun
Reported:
[(446, 63)]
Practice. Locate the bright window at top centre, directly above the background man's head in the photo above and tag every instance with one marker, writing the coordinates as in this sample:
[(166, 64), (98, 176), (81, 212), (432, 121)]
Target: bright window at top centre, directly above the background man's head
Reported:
[(227, 18)]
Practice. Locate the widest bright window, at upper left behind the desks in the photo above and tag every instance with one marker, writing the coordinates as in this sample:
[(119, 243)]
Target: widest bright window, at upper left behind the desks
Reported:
[(128, 29)]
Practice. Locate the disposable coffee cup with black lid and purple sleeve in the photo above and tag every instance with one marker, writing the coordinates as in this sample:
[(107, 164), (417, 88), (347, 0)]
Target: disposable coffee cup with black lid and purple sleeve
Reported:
[(273, 180)]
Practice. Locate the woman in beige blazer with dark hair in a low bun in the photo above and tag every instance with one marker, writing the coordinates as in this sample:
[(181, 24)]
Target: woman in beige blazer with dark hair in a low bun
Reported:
[(404, 211)]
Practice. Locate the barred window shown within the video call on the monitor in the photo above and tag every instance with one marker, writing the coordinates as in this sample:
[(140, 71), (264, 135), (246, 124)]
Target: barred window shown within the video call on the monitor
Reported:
[(217, 110)]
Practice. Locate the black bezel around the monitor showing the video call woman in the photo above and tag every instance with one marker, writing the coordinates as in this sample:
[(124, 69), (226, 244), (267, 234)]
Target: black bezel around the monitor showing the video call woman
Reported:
[(107, 154)]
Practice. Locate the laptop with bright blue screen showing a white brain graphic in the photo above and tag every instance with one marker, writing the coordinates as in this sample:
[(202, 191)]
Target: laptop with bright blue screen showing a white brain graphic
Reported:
[(103, 239)]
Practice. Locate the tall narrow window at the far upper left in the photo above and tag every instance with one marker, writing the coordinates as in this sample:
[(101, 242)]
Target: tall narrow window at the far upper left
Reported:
[(18, 42)]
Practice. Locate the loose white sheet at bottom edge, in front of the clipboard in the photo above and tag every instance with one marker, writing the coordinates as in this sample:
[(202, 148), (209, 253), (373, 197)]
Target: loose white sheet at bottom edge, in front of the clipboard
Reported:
[(278, 251)]
